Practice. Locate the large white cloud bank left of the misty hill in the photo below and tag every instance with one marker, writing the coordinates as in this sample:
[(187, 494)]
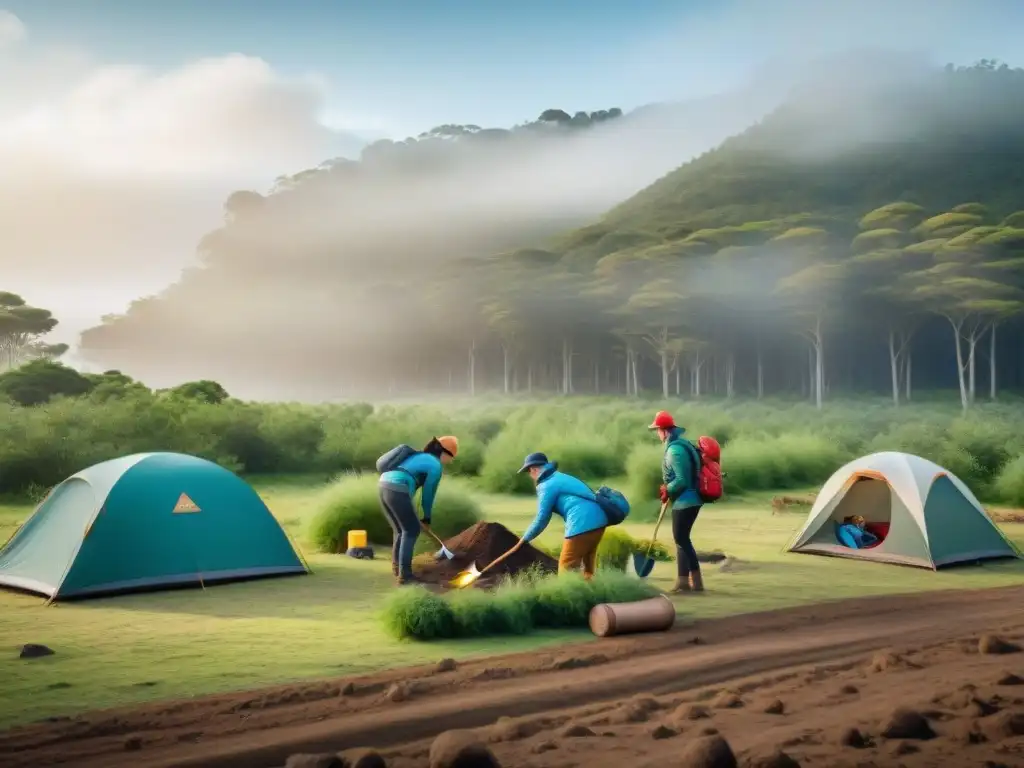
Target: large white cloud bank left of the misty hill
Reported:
[(113, 174)]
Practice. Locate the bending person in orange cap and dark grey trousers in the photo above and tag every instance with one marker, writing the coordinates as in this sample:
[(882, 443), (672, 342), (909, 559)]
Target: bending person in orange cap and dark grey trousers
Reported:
[(398, 489)]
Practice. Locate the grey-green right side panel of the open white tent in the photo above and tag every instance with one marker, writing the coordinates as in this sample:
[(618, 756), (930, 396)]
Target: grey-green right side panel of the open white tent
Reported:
[(959, 532)]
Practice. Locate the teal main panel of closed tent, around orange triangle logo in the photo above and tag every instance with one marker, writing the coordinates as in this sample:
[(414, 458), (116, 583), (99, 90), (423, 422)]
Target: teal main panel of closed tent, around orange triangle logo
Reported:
[(140, 541)]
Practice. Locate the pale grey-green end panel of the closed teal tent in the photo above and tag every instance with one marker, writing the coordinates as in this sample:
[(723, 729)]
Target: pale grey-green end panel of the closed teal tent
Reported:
[(42, 550)]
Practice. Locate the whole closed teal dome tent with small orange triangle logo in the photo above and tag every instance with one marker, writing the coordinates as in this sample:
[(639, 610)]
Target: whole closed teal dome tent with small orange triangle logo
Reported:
[(143, 523)]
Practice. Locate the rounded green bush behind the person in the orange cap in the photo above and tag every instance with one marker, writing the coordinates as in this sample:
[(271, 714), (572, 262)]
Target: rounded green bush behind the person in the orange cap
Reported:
[(352, 503)]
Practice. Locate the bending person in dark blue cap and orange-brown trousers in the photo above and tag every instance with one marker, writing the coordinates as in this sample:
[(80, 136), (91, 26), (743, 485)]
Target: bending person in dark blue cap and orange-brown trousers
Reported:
[(572, 500)]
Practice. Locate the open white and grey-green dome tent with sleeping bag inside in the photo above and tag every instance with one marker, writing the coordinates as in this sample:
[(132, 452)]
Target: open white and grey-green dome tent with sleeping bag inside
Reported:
[(920, 515)]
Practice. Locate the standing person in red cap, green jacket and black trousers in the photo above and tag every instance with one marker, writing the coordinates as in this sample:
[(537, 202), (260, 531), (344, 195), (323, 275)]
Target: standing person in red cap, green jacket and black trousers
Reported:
[(679, 474)]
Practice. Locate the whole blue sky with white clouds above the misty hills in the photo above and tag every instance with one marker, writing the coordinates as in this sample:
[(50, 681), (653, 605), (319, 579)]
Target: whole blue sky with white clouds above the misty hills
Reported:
[(124, 124)]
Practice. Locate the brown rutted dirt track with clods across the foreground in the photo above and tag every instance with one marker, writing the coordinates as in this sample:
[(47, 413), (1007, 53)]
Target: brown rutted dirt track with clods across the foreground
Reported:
[(817, 660)]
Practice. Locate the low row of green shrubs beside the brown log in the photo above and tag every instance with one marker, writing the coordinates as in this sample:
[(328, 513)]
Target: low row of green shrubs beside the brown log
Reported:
[(524, 604)]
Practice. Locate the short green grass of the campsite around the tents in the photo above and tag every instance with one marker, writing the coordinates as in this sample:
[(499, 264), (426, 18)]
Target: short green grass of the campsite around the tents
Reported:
[(175, 645)]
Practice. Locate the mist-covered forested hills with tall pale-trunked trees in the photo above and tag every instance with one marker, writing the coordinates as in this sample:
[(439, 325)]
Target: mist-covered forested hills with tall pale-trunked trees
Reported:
[(864, 238)]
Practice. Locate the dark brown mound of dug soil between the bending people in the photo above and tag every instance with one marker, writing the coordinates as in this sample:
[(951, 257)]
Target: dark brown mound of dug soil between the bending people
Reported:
[(483, 544)]
